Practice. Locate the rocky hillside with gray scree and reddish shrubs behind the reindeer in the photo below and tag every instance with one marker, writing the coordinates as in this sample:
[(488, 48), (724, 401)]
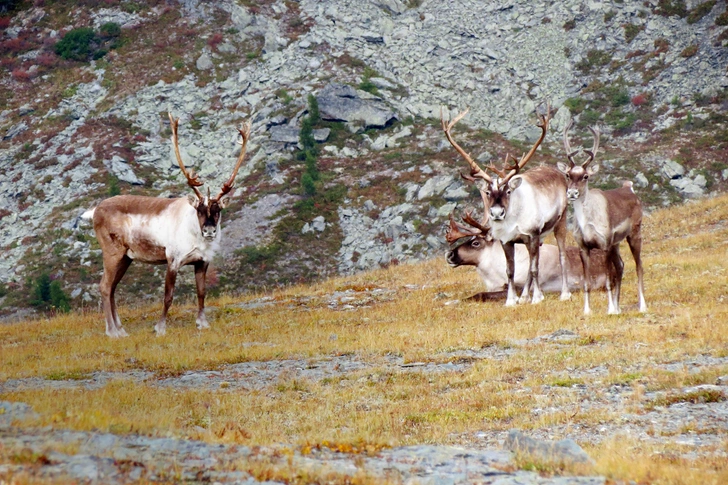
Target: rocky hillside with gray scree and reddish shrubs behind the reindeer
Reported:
[(80, 125)]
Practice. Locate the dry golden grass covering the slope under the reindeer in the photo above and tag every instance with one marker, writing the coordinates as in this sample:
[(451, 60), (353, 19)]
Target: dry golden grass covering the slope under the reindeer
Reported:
[(685, 253)]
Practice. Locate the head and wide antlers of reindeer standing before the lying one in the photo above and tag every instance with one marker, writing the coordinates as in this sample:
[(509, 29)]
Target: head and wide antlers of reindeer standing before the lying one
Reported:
[(496, 191)]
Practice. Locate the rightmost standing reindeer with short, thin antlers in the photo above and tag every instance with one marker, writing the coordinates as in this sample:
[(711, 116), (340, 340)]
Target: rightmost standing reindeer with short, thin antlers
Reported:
[(602, 220)]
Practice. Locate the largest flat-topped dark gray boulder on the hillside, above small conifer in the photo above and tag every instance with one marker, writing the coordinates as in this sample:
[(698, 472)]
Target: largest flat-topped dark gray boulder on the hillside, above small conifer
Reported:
[(339, 102)]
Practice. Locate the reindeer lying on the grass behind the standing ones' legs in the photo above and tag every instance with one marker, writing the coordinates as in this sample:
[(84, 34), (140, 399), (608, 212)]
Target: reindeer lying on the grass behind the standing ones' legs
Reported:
[(481, 250)]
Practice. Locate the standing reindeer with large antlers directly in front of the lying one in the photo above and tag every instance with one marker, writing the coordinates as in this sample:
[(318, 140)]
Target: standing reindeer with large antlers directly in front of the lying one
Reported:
[(523, 208)]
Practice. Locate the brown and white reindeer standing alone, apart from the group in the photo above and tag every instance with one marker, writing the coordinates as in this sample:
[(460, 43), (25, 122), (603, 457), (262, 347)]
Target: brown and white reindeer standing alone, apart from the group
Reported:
[(178, 232)]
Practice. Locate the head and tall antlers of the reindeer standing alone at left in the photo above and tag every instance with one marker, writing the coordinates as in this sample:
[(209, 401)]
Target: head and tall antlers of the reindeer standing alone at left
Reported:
[(209, 208)]
